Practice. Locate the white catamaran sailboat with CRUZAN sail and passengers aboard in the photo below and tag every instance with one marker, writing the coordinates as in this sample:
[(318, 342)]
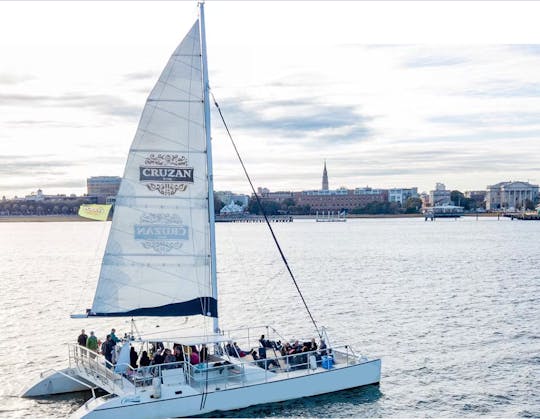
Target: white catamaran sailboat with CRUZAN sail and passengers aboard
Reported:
[(160, 260)]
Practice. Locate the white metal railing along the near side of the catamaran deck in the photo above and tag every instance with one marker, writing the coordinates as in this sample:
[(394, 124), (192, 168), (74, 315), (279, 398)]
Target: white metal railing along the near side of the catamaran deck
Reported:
[(225, 373)]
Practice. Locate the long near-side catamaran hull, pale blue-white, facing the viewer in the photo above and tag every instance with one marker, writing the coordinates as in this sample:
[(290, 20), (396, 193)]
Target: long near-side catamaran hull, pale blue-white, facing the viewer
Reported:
[(235, 398)]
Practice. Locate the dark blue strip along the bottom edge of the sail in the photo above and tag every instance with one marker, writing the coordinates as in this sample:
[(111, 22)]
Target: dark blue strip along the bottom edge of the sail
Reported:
[(206, 306)]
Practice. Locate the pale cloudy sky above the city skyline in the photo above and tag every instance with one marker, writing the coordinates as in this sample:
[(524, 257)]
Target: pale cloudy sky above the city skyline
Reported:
[(390, 94)]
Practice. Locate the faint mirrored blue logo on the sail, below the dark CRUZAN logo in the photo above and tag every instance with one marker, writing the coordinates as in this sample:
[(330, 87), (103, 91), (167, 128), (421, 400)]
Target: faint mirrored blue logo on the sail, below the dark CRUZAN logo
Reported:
[(161, 232)]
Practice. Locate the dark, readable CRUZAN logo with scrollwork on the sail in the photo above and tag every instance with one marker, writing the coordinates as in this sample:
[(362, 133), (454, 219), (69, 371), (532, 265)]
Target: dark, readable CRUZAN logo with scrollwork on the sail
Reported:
[(166, 173)]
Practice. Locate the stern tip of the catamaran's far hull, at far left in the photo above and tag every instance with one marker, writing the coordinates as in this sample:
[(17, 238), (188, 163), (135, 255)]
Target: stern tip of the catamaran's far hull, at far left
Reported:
[(57, 382)]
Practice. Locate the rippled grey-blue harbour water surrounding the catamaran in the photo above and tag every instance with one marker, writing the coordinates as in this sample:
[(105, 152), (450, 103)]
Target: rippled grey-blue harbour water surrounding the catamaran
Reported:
[(452, 307)]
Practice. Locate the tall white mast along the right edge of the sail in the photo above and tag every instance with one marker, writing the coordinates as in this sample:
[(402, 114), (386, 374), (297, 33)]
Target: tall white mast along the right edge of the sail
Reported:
[(211, 216)]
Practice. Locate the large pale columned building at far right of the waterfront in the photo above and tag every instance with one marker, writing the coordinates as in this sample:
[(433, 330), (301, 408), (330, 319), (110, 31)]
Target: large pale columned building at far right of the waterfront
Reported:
[(510, 195)]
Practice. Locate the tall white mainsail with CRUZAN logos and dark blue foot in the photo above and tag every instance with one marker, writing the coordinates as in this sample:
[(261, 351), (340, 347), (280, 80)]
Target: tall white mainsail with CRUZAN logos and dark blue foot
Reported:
[(158, 256)]
